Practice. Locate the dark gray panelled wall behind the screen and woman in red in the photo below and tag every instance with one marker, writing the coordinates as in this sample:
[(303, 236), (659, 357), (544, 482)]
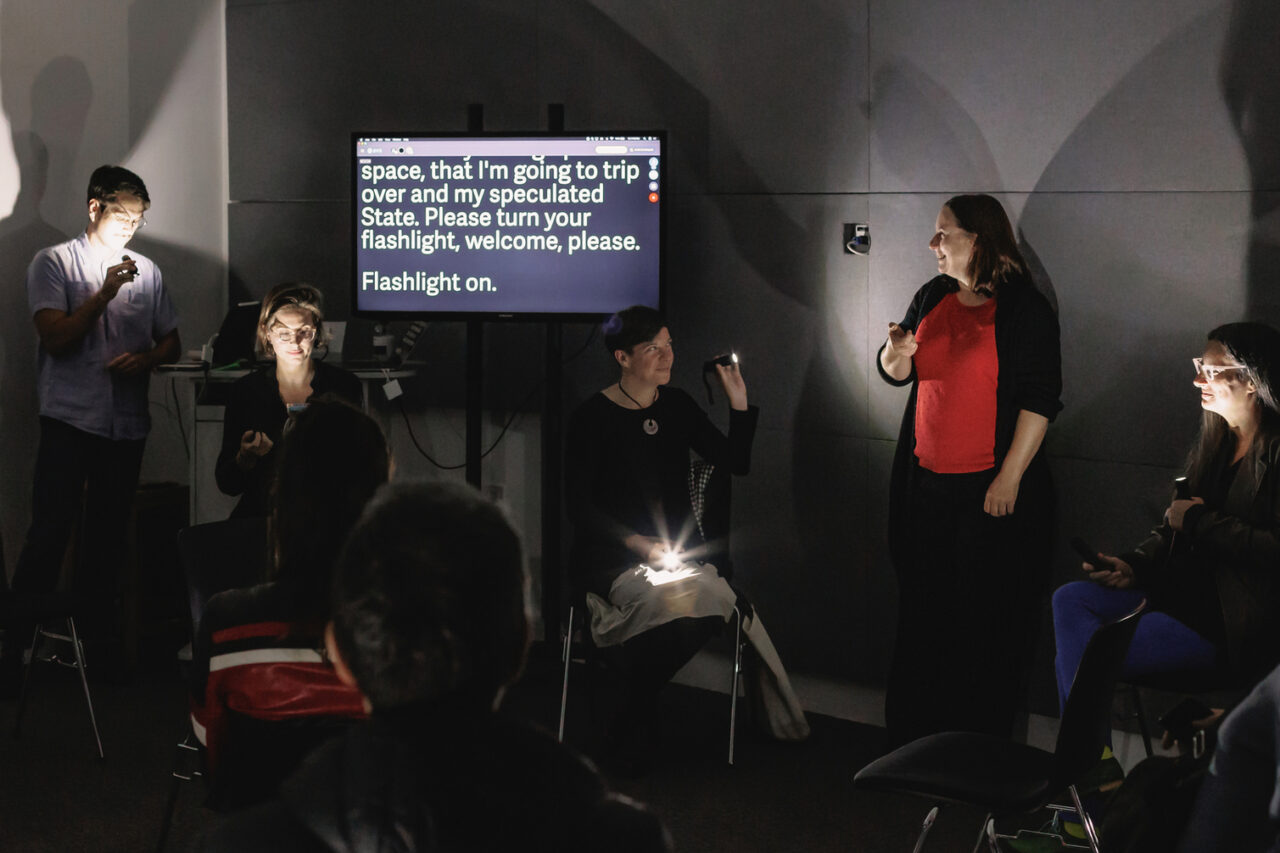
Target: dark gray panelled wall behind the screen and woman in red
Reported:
[(1131, 143)]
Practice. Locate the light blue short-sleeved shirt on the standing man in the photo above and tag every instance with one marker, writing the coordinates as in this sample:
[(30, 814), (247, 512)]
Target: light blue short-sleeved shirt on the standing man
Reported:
[(77, 389)]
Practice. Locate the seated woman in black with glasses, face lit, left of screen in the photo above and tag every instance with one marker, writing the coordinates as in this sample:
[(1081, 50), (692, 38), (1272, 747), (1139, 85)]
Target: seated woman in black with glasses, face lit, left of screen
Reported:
[(290, 329)]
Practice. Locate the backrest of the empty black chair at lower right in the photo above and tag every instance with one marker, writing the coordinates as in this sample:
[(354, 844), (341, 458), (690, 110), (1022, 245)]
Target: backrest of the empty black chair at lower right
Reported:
[(1087, 715)]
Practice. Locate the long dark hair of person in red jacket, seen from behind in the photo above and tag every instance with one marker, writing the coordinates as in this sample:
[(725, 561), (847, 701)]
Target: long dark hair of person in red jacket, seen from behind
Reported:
[(332, 460)]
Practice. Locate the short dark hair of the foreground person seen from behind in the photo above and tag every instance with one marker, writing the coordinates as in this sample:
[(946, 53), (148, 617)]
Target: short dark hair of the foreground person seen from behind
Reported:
[(429, 599)]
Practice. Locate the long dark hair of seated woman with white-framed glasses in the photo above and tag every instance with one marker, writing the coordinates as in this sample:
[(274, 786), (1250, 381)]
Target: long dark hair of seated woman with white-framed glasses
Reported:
[(1256, 346)]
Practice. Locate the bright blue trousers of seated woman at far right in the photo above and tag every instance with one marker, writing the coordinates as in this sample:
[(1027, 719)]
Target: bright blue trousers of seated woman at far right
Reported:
[(1160, 645)]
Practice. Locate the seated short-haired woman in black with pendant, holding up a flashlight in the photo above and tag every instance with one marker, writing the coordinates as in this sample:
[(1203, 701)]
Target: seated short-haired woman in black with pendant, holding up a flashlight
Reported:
[(628, 491)]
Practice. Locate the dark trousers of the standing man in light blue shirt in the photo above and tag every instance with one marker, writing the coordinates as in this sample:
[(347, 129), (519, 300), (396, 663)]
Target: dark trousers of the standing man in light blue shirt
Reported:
[(79, 472)]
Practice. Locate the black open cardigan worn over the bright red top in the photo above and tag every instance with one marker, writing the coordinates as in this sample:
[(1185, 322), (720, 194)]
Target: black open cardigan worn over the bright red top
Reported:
[(1031, 378)]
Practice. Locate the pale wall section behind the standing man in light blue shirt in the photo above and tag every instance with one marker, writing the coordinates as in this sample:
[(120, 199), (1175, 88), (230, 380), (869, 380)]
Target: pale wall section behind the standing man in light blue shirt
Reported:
[(135, 83)]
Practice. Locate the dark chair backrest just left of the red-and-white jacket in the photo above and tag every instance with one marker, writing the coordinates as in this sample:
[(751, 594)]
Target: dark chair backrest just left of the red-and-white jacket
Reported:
[(218, 556)]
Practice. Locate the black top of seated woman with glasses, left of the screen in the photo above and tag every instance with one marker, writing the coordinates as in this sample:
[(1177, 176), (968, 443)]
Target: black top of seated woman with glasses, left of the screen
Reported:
[(255, 404)]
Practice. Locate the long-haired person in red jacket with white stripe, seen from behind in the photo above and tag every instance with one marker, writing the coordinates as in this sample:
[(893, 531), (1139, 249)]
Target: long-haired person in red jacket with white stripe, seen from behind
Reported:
[(259, 653)]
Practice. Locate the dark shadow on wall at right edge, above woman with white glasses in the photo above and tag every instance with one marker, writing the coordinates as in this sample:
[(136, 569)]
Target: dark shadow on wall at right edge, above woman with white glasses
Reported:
[(1250, 77)]
